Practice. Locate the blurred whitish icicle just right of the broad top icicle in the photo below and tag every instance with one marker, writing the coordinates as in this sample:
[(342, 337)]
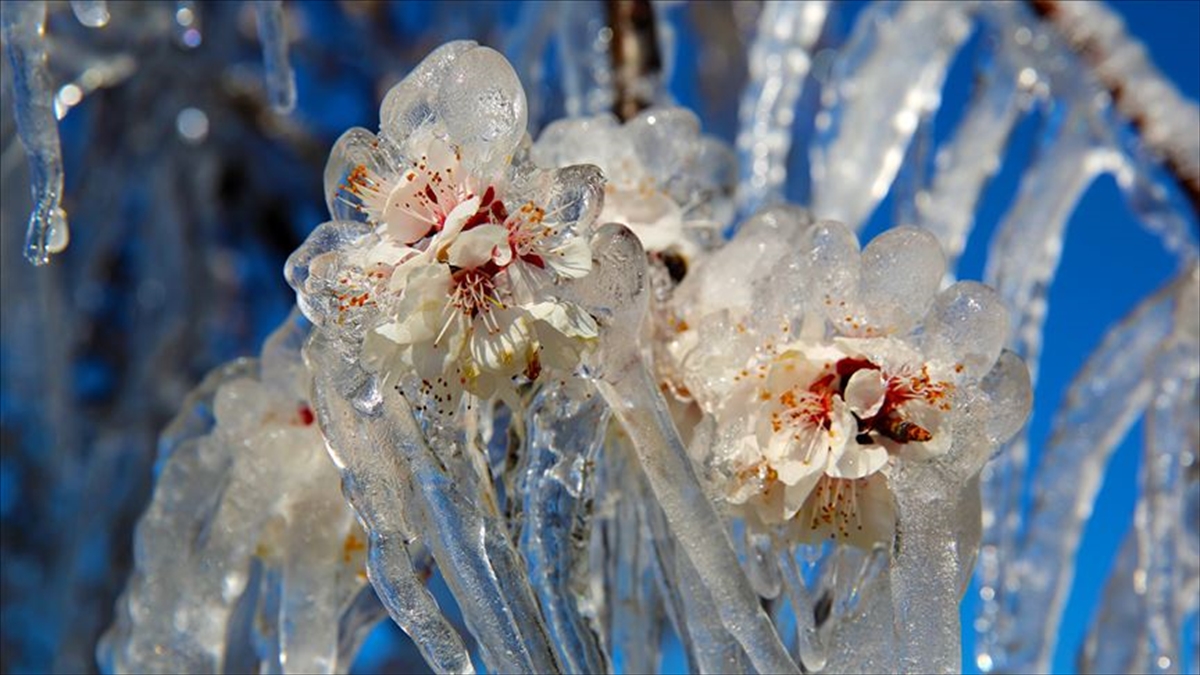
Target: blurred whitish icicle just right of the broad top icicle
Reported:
[(974, 154)]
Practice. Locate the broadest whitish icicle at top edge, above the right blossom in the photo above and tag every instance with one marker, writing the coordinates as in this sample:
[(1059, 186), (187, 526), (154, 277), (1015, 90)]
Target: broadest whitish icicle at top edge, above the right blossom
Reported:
[(884, 83)]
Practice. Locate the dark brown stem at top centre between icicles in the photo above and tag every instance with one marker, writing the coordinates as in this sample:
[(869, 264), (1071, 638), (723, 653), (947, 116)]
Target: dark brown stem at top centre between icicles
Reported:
[(637, 63)]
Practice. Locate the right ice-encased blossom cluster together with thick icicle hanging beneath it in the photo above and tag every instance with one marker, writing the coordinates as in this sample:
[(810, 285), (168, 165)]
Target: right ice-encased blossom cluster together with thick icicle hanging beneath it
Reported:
[(871, 401)]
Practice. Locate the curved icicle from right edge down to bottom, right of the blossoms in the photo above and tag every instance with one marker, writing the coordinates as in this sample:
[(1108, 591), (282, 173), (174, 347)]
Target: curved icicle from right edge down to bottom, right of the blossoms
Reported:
[(1102, 404)]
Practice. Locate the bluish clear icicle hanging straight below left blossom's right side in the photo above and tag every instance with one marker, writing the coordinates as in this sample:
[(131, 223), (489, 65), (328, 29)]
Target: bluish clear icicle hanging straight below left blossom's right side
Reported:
[(566, 428)]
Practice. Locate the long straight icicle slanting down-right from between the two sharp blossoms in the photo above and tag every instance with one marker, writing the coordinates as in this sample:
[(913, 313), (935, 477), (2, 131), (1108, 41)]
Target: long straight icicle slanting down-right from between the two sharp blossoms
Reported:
[(617, 291)]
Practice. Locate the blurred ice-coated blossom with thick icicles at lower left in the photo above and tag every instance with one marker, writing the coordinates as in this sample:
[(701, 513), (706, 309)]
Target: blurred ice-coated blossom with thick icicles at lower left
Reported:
[(247, 487)]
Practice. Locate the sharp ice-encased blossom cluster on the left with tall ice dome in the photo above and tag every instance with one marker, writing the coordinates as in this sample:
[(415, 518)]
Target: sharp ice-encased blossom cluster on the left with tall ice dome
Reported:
[(448, 247)]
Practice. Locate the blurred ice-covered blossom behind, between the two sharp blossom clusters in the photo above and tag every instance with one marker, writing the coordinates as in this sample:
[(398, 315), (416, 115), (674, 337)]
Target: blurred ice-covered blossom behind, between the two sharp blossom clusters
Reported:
[(671, 186)]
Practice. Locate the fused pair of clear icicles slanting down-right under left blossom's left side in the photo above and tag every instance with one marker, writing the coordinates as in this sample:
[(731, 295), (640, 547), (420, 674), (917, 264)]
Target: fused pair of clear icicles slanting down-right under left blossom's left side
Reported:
[(387, 462)]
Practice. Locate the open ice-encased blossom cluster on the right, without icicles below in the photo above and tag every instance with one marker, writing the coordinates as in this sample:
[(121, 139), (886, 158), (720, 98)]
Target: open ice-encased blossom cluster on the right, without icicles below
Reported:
[(860, 365)]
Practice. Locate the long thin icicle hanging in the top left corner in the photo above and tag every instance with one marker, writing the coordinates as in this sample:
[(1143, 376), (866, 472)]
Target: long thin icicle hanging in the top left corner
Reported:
[(25, 44)]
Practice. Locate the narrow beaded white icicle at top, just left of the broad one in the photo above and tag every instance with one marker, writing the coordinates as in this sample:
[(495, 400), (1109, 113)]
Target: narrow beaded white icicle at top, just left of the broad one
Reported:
[(781, 58)]
